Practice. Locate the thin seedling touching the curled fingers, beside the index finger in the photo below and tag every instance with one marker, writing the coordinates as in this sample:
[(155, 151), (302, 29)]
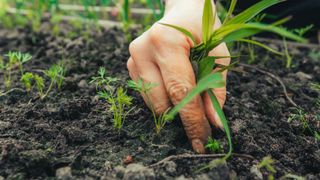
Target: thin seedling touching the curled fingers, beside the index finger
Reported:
[(144, 88)]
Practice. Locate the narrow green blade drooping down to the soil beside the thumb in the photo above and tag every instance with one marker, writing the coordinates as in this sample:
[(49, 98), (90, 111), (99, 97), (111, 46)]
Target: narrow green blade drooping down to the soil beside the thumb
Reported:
[(223, 119)]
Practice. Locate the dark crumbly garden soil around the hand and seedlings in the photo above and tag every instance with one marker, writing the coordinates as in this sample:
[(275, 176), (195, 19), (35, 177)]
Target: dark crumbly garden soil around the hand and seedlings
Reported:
[(70, 135)]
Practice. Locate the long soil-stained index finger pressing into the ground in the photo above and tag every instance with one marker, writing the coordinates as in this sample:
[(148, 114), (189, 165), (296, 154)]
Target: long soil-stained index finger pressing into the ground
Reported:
[(179, 80)]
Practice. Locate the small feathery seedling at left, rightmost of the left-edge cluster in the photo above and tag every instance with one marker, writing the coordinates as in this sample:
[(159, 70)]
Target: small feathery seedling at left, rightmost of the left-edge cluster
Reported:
[(56, 76)]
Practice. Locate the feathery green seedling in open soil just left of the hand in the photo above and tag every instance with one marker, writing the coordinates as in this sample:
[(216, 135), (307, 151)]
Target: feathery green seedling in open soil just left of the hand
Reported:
[(116, 97)]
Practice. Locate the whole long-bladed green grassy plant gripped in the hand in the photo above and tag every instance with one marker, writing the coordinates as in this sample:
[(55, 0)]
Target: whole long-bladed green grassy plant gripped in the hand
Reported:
[(233, 29)]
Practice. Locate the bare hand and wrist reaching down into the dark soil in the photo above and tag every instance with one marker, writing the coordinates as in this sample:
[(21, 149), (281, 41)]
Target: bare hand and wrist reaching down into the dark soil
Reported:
[(161, 55)]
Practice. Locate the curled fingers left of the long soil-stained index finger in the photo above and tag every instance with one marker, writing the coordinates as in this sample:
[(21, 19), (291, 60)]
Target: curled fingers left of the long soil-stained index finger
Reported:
[(140, 67)]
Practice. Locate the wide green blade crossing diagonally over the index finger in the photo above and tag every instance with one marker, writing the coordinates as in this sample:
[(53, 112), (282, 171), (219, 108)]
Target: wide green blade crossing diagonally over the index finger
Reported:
[(213, 80)]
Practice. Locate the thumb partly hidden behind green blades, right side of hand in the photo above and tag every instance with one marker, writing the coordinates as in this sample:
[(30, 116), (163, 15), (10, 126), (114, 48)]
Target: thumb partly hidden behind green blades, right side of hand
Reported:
[(220, 93)]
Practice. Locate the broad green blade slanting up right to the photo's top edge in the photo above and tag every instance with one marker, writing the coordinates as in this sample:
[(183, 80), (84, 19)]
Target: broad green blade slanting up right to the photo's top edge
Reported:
[(252, 11)]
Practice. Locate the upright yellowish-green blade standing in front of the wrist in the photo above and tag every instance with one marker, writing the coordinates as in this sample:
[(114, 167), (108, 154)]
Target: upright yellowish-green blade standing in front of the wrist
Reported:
[(208, 19)]
